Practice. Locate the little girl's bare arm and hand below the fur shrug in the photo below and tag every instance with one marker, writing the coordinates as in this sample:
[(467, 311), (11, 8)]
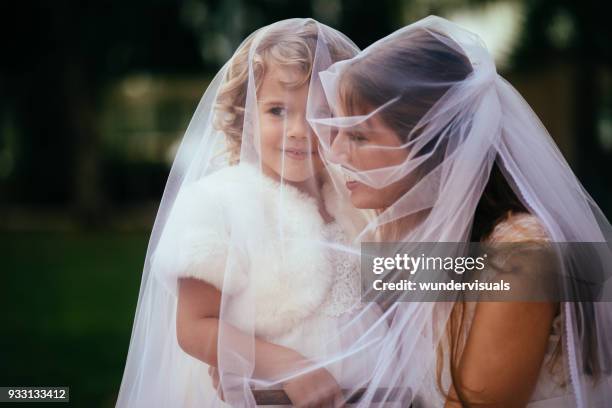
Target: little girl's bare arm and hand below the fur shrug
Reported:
[(197, 327)]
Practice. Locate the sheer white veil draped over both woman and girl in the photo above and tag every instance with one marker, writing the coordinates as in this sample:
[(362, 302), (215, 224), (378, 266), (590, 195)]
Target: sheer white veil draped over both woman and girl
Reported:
[(257, 206)]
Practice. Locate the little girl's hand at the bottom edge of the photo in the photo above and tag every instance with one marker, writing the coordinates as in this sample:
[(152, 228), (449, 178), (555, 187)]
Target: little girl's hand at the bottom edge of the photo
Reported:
[(317, 388)]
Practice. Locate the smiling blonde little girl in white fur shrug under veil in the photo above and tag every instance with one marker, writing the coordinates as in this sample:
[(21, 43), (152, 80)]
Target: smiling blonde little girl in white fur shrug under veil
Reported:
[(259, 293)]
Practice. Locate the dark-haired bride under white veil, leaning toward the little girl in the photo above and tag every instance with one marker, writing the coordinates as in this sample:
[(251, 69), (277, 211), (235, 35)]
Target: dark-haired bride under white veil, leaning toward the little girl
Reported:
[(445, 150)]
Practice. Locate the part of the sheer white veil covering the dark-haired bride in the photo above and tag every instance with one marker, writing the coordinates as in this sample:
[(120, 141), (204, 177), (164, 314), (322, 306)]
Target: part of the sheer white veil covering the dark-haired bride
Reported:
[(457, 123)]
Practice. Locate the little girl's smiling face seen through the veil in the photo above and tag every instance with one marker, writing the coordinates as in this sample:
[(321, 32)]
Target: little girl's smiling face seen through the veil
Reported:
[(287, 147)]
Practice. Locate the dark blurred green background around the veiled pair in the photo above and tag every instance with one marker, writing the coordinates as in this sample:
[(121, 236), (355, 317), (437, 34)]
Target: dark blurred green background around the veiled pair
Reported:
[(95, 97)]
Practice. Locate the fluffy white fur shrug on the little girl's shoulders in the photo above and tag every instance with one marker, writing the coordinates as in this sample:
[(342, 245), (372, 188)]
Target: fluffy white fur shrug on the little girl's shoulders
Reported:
[(243, 234)]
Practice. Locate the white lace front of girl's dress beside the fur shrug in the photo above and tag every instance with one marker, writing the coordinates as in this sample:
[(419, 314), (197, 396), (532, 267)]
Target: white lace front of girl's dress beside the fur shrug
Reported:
[(344, 294)]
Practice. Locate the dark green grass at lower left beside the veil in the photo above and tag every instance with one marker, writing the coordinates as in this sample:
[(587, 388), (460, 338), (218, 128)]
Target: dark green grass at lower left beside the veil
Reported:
[(66, 305)]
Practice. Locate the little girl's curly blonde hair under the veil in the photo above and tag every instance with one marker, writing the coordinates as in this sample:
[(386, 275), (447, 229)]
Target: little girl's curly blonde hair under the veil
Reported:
[(286, 45)]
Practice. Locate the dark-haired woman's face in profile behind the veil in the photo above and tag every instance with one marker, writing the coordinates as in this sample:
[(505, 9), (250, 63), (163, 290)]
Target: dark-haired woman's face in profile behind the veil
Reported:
[(371, 145)]
